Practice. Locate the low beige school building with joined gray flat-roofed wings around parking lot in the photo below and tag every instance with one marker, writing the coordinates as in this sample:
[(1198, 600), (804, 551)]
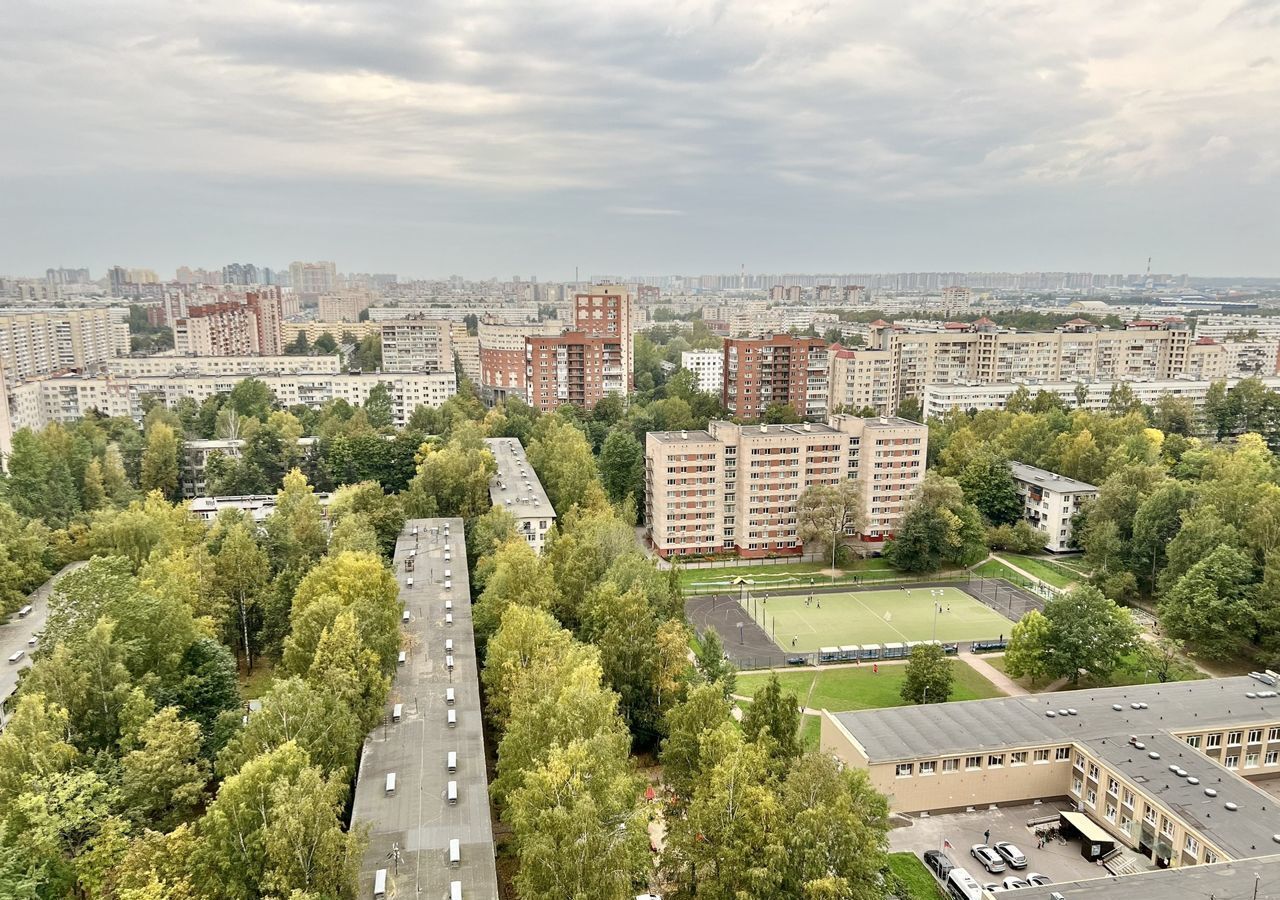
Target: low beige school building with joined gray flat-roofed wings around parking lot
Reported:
[(1164, 769)]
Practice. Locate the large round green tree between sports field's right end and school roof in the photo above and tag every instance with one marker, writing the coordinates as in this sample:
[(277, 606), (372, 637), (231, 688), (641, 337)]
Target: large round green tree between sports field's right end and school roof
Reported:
[(1089, 634)]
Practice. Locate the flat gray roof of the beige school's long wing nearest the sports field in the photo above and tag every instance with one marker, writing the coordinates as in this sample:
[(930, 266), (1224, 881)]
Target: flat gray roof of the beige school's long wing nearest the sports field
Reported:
[(1012, 723)]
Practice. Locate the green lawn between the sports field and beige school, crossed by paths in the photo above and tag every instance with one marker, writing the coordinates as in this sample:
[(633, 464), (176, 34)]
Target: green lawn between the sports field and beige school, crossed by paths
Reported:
[(860, 688)]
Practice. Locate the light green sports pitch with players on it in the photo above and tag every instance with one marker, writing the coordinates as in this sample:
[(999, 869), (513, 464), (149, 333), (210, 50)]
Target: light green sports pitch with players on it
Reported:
[(876, 618)]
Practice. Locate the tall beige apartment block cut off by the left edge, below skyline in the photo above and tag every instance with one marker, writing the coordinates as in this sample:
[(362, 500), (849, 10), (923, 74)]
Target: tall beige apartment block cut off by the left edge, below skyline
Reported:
[(42, 342)]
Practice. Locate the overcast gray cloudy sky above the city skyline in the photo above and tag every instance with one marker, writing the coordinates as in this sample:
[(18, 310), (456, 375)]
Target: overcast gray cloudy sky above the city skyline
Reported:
[(642, 136)]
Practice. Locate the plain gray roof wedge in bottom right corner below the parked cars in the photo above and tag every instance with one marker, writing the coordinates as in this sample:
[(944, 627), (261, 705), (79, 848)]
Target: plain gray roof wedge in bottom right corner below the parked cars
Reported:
[(1222, 881)]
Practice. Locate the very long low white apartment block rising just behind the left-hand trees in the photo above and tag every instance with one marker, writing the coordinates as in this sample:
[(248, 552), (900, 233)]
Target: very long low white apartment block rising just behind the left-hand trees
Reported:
[(67, 399)]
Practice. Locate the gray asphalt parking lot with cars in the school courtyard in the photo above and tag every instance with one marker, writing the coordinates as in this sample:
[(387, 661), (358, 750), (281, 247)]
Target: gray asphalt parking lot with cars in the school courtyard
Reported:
[(1060, 862)]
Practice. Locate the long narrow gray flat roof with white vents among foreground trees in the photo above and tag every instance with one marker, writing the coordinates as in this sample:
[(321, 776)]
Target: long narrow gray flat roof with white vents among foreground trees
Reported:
[(412, 829)]
